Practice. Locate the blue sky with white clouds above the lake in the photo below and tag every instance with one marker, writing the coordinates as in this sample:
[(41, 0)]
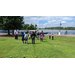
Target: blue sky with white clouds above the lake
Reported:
[(50, 21)]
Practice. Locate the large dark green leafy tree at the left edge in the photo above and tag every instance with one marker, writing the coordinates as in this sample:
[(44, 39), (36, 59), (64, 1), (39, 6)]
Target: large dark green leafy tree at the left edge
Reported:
[(11, 22)]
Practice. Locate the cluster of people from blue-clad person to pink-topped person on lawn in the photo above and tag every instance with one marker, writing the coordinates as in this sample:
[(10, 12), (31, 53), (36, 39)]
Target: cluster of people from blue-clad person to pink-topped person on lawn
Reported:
[(33, 35)]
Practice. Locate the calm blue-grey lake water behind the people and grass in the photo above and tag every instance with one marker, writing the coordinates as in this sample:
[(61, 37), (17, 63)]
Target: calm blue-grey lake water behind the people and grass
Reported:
[(62, 32)]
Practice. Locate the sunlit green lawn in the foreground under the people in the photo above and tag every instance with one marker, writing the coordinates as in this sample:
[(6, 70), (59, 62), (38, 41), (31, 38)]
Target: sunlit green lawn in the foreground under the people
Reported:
[(60, 47)]
